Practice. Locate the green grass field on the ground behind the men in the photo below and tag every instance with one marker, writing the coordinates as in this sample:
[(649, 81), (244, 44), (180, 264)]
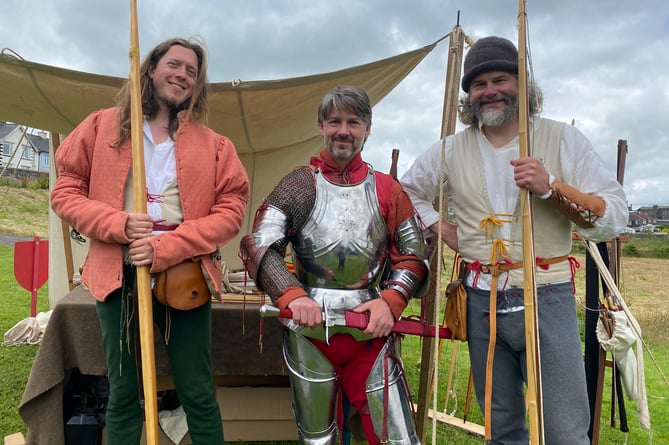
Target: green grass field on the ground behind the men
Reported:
[(643, 284)]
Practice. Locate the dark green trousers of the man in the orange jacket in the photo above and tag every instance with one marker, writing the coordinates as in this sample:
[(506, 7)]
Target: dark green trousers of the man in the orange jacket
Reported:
[(189, 352)]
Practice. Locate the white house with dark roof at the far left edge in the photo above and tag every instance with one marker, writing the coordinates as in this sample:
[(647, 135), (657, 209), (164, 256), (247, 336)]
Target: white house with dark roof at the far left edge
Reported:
[(23, 151)]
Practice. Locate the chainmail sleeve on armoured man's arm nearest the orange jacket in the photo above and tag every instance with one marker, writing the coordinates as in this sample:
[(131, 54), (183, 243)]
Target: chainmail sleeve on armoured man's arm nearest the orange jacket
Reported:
[(295, 196)]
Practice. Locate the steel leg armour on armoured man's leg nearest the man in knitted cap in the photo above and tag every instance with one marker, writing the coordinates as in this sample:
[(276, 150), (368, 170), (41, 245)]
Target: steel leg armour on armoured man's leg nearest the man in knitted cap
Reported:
[(387, 377)]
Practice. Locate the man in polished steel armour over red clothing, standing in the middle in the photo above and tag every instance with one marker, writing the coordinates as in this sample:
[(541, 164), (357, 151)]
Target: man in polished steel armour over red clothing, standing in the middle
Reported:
[(339, 206)]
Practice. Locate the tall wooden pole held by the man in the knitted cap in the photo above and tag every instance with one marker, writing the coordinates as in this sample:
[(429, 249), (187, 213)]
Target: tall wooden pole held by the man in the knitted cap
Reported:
[(533, 395)]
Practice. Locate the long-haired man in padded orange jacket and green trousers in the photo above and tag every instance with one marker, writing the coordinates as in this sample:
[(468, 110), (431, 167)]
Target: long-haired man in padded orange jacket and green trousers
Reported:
[(196, 190)]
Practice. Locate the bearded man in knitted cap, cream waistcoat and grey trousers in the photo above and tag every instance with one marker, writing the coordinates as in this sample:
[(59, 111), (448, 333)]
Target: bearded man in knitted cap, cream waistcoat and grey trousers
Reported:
[(570, 186)]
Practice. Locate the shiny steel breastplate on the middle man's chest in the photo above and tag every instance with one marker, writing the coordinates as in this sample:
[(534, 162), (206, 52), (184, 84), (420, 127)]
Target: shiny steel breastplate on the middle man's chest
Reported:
[(344, 243)]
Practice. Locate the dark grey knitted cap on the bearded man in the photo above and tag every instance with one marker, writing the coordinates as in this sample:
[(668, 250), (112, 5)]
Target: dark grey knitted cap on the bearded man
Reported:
[(489, 54)]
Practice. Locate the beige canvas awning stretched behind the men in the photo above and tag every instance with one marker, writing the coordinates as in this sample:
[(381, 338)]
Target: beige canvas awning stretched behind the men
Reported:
[(272, 123)]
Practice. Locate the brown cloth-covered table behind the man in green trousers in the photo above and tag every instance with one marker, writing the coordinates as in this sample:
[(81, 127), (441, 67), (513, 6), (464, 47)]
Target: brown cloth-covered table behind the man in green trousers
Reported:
[(72, 341)]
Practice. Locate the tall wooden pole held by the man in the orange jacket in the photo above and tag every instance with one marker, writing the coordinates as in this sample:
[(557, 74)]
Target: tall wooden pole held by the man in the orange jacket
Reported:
[(144, 297)]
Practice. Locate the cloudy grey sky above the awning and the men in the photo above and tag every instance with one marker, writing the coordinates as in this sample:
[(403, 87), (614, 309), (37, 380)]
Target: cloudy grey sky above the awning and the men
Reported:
[(602, 64)]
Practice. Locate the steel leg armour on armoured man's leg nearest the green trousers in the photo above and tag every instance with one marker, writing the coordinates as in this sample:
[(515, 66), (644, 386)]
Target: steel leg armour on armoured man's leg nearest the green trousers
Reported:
[(313, 382)]
